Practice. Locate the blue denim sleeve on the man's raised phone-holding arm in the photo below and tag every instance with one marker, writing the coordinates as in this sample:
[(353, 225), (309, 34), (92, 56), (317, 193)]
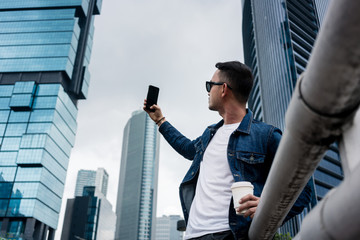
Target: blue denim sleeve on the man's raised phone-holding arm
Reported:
[(179, 142)]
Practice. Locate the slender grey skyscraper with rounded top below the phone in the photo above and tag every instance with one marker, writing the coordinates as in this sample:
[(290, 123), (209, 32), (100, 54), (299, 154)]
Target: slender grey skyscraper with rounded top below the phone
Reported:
[(137, 193)]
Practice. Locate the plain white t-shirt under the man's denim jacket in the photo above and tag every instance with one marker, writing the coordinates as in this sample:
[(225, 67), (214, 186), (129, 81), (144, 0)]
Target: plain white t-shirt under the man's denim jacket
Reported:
[(209, 212)]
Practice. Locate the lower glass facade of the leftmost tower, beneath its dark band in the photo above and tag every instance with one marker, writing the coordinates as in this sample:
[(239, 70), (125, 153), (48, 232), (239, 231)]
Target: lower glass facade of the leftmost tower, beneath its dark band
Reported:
[(35, 175)]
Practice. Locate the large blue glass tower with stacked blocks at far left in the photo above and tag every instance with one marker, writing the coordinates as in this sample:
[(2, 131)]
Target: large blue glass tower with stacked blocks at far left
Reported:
[(45, 48)]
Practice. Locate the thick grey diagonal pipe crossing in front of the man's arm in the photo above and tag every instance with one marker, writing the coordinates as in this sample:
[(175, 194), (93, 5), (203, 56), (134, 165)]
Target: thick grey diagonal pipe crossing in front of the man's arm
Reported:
[(323, 104)]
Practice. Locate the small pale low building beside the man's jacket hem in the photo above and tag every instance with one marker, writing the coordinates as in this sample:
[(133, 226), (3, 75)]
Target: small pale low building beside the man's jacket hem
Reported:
[(166, 228)]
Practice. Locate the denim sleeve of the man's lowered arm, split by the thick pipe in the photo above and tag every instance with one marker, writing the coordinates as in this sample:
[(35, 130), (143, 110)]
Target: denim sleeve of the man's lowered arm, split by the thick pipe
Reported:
[(304, 198)]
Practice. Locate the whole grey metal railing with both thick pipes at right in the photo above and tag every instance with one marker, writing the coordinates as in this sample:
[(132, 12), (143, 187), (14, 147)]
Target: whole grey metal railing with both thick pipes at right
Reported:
[(322, 109)]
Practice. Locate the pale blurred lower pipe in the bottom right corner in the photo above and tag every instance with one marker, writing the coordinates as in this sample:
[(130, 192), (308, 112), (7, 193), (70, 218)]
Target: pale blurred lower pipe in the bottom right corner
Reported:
[(337, 215)]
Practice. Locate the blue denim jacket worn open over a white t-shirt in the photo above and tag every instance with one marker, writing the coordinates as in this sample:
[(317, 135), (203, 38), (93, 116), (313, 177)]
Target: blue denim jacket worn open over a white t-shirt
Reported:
[(251, 150)]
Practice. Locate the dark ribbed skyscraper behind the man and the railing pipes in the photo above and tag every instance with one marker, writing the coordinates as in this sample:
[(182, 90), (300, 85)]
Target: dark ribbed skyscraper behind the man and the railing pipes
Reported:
[(278, 37)]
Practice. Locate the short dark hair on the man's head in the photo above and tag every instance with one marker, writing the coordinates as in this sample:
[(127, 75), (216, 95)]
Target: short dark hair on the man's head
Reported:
[(239, 77)]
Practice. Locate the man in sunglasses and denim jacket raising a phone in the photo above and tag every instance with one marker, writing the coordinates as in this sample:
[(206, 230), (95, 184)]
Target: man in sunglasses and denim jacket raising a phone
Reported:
[(238, 148)]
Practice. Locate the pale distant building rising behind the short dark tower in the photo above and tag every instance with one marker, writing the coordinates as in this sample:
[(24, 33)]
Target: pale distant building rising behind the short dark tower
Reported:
[(99, 179)]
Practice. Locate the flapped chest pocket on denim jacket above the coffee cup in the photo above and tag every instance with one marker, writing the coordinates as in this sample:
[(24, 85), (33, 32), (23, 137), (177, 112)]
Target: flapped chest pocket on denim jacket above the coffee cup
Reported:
[(250, 165)]
